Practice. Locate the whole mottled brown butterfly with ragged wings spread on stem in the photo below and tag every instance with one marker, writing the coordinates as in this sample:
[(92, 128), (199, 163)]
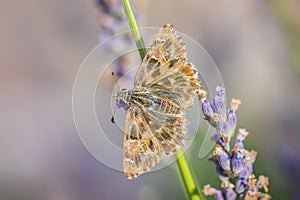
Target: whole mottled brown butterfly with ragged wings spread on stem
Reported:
[(164, 87)]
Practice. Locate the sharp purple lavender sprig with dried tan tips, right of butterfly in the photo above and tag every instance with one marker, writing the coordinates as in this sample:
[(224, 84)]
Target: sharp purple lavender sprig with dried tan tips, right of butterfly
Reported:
[(234, 164)]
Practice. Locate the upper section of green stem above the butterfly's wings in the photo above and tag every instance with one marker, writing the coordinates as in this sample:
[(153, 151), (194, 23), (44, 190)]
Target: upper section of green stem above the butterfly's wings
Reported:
[(134, 28)]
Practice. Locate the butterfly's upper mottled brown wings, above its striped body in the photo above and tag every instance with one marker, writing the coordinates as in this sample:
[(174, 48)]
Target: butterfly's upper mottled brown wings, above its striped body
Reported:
[(165, 65)]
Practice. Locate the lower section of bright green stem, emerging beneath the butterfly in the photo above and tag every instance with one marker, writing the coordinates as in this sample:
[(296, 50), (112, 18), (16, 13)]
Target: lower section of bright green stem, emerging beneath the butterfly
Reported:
[(187, 175)]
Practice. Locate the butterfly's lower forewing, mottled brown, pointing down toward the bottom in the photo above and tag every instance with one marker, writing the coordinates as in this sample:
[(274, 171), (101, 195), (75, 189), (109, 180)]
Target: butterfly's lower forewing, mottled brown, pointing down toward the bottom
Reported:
[(141, 148)]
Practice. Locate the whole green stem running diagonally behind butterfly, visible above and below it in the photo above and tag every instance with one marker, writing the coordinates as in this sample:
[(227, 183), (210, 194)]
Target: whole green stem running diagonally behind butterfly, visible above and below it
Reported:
[(185, 171)]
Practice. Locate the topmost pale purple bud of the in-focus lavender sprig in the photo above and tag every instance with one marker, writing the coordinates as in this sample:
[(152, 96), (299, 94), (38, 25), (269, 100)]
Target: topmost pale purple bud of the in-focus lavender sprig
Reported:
[(218, 103)]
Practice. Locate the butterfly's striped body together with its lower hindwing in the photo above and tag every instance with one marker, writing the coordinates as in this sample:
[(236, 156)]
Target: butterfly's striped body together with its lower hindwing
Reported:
[(164, 115)]
